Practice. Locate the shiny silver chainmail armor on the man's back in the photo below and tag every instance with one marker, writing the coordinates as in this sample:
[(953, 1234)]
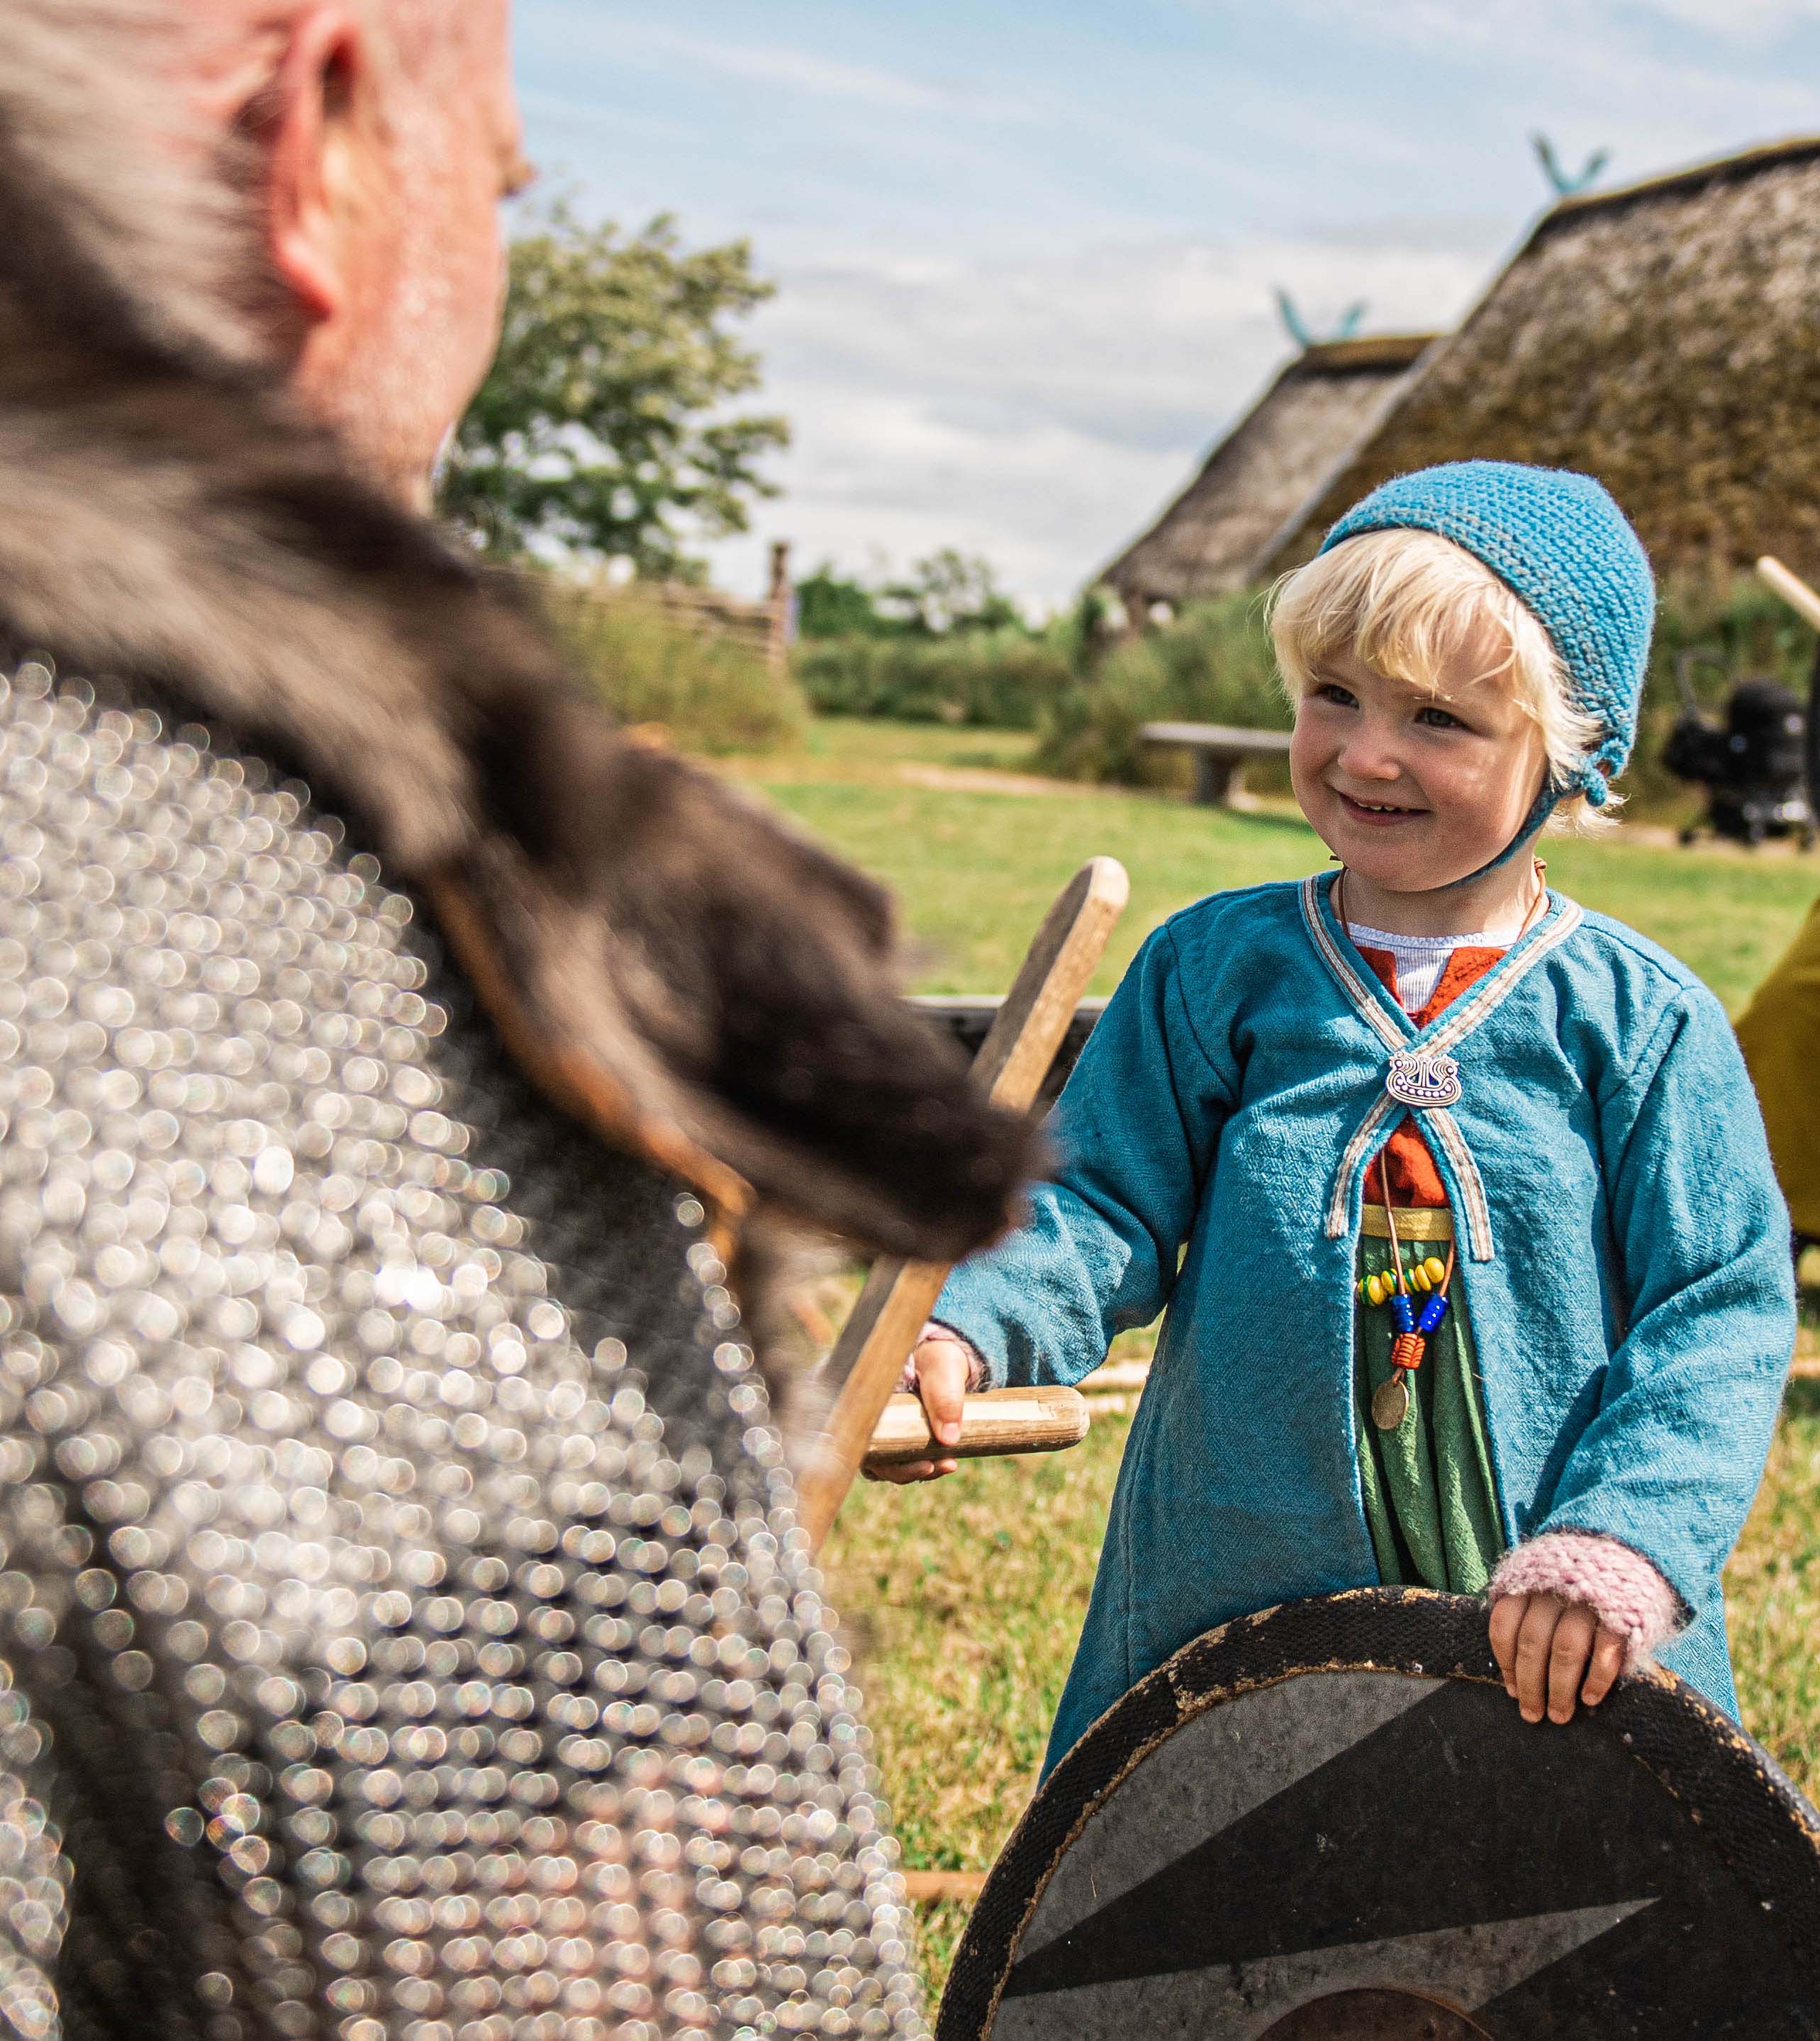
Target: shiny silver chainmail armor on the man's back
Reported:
[(403, 1620)]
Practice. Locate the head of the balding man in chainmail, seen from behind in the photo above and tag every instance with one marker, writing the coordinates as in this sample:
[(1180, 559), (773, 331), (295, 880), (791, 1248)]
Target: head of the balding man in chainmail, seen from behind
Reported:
[(330, 172)]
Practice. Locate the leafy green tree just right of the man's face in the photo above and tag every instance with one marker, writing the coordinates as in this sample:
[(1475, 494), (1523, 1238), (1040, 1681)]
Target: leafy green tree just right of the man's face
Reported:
[(603, 426)]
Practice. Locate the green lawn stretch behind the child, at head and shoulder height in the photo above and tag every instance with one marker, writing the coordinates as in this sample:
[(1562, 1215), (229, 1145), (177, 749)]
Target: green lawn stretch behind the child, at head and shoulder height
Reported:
[(976, 868)]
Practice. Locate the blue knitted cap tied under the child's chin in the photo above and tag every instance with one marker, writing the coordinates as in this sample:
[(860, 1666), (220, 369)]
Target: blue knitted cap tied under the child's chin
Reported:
[(1570, 552)]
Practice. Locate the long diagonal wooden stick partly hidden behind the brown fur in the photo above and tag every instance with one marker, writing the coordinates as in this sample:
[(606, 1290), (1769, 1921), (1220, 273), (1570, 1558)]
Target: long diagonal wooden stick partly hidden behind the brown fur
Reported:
[(1013, 1062)]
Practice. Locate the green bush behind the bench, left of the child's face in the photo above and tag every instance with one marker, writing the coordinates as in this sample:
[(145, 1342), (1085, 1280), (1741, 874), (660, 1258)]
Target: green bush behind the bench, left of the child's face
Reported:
[(1211, 666)]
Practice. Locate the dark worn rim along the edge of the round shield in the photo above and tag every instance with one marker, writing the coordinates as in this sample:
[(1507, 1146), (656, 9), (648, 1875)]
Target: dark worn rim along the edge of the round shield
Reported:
[(1695, 1750)]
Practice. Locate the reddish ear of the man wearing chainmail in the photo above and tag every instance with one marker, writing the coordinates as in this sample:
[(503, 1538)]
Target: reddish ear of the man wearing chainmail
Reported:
[(309, 111)]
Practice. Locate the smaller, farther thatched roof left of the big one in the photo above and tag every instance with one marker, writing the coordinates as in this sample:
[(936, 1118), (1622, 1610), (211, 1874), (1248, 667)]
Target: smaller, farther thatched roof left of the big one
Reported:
[(1209, 540)]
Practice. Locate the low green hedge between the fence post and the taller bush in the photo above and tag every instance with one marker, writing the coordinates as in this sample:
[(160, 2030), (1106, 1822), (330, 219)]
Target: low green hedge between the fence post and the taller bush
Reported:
[(999, 679)]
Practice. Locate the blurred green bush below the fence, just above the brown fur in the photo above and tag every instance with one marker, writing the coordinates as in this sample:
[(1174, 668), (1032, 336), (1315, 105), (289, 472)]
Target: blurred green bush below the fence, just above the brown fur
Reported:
[(711, 695)]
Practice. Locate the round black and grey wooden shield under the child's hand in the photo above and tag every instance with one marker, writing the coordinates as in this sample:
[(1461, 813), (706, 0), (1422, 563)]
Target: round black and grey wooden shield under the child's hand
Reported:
[(1331, 1822)]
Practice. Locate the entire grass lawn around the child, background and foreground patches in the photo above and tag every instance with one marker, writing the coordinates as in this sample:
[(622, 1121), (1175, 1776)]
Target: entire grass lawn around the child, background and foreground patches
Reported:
[(966, 1597)]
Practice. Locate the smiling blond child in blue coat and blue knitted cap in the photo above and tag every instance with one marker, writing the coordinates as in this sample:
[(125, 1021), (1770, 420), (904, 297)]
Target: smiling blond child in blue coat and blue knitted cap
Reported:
[(1456, 1195)]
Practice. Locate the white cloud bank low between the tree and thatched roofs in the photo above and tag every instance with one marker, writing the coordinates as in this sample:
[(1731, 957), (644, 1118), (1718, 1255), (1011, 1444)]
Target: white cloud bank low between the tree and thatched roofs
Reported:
[(1042, 413)]
